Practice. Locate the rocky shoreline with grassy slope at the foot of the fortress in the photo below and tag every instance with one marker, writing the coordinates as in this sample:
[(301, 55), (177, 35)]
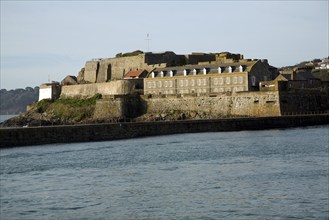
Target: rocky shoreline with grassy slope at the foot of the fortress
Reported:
[(68, 112)]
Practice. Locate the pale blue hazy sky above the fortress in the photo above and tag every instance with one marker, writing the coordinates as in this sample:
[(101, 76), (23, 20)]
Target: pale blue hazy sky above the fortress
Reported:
[(48, 40)]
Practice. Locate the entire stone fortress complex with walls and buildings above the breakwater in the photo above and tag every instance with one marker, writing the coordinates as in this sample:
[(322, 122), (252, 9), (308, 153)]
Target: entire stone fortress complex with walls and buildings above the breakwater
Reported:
[(193, 86)]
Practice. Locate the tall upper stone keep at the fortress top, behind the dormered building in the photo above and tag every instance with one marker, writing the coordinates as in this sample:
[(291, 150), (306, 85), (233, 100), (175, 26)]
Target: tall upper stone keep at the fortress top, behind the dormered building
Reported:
[(104, 70)]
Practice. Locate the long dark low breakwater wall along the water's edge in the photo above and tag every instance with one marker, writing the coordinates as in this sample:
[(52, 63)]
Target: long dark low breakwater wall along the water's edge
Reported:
[(12, 137)]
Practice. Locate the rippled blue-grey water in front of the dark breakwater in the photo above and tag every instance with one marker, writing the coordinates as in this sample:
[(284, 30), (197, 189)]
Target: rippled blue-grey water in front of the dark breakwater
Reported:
[(272, 174)]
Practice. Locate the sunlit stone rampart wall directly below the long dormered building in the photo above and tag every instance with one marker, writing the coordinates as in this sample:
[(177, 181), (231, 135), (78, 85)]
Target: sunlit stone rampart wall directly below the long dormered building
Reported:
[(240, 104)]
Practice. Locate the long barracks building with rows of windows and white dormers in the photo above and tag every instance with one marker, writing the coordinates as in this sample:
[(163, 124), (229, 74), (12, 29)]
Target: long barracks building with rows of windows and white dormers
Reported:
[(243, 75)]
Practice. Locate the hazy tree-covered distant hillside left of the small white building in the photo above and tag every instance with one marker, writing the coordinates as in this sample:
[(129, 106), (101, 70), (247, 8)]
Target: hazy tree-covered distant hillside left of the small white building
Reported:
[(15, 101)]
